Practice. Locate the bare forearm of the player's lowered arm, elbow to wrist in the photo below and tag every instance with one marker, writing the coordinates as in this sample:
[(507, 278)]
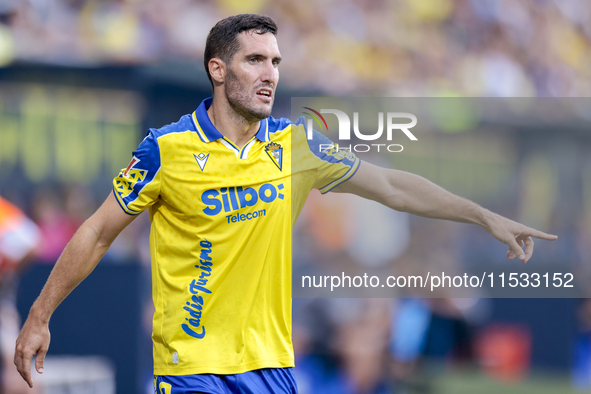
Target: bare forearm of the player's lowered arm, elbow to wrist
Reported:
[(77, 261)]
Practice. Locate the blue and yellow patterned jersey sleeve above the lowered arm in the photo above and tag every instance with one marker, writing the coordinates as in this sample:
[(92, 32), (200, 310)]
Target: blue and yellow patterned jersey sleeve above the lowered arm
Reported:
[(138, 186)]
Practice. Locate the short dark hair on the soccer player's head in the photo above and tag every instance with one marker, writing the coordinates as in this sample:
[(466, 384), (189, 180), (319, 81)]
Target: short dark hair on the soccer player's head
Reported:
[(222, 40)]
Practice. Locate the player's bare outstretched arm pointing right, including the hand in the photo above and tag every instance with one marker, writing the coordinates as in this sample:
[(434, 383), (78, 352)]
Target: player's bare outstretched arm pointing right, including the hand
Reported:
[(411, 193)]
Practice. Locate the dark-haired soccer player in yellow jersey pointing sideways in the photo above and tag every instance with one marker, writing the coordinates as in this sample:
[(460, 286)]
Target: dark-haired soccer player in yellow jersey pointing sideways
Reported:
[(224, 186)]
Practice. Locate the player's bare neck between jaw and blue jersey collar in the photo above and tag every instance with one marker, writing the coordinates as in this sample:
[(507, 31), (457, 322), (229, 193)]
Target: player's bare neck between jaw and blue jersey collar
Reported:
[(231, 124)]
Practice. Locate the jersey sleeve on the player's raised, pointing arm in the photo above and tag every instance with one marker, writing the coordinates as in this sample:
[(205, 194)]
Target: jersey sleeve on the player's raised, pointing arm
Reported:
[(333, 165)]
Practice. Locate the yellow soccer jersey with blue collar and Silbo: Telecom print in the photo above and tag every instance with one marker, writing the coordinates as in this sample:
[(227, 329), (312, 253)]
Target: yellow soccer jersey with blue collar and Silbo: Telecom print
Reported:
[(221, 221)]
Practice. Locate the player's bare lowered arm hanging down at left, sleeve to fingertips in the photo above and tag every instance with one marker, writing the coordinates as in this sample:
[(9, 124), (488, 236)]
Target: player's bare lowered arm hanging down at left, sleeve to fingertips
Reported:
[(81, 255)]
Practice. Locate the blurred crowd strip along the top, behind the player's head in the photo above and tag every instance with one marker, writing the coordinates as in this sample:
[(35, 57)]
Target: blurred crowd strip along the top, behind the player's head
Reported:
[(400, 48)]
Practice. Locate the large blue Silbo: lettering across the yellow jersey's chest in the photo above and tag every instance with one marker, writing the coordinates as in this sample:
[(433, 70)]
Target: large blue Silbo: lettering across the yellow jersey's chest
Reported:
[(231, 199)]
